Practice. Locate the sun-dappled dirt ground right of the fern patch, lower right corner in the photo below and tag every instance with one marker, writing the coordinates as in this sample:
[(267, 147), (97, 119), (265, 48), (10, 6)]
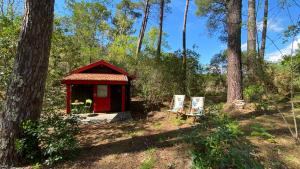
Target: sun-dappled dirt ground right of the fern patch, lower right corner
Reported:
[(280, 151)]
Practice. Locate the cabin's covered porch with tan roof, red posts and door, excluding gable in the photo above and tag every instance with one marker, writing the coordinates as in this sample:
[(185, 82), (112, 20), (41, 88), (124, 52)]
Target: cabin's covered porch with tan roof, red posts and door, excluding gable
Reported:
[(108, 92)]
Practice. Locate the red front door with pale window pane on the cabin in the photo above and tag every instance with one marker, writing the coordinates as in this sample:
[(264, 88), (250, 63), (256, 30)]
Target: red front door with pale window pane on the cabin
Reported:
[(101, 98)]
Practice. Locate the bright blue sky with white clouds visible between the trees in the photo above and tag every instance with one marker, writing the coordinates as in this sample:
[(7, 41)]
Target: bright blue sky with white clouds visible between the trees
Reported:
[(197, 33)]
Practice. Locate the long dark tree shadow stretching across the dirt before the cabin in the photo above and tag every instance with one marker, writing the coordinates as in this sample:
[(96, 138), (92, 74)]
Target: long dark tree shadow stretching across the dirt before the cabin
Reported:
[(92, 153)]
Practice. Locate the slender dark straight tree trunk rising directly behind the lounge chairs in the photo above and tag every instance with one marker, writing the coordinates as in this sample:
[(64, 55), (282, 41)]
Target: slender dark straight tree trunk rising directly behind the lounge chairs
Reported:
[(184, 44)]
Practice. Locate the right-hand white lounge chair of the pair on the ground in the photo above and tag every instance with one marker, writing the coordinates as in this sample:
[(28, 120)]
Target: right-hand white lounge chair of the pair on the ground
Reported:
[(196, 107)]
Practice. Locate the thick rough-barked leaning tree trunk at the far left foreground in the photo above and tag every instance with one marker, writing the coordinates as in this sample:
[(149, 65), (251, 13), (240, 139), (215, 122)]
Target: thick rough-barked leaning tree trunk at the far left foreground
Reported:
[(27, 82)]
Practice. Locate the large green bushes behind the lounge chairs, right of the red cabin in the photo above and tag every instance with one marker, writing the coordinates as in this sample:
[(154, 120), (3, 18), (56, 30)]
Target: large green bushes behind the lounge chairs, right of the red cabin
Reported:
[(160, 81)]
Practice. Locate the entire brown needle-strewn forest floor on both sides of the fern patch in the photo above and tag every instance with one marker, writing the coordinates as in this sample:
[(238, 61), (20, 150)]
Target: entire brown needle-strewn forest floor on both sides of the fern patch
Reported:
[(155, 142)]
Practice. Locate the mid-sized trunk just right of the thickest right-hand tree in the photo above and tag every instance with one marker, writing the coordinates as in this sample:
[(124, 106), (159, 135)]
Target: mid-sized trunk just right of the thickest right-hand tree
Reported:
[(251, 42)]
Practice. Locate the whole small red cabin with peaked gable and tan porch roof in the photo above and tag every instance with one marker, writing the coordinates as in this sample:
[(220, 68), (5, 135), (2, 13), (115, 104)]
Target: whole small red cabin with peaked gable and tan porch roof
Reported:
[(106, 85)]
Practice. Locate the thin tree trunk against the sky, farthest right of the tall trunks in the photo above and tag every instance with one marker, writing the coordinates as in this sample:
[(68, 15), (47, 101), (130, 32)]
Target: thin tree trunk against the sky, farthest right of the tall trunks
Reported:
[(264, 32)]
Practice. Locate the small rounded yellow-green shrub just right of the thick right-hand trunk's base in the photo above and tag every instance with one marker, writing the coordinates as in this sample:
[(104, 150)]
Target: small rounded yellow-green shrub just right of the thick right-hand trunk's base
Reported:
[(254, 93)]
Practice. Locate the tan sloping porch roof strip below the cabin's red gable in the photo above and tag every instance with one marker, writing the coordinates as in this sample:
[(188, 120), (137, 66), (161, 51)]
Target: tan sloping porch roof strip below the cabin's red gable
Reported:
[(97, 77)]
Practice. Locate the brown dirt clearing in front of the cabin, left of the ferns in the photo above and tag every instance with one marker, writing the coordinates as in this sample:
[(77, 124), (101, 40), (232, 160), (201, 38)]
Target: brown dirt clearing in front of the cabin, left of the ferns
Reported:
[(134, 144)]
